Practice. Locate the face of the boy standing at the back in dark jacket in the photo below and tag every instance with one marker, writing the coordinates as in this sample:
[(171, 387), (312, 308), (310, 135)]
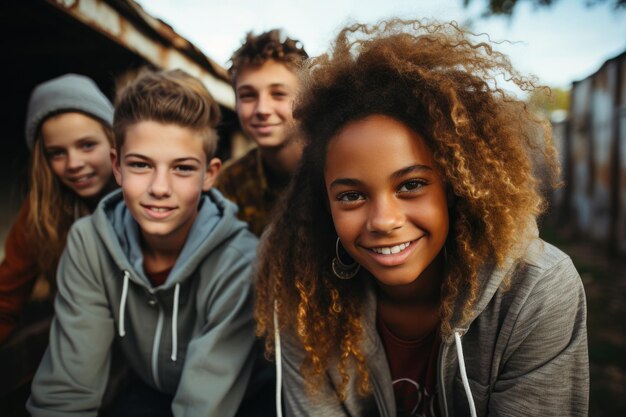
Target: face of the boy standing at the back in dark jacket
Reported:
[(264, 103)]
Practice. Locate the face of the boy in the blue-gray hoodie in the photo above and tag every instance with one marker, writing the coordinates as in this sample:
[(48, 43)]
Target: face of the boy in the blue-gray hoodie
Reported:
[(163, 169)]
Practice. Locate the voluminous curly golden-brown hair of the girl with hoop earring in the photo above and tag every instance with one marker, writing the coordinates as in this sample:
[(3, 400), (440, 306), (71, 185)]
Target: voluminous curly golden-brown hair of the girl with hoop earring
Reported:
[(437, 79)]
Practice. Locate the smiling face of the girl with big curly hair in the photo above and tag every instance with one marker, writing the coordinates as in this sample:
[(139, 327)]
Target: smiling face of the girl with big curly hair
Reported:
[(387, 198)]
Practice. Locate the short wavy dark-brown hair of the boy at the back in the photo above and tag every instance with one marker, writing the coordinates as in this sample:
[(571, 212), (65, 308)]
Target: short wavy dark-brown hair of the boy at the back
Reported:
[(258, 49)]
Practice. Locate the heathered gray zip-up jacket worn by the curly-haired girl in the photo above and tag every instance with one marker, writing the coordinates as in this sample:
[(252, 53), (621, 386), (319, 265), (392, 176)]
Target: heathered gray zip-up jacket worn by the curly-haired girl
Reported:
[(525, 351)]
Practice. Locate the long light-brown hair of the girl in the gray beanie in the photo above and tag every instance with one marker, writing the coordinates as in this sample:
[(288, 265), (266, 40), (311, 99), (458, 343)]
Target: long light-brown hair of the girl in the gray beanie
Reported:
[(53, 207)]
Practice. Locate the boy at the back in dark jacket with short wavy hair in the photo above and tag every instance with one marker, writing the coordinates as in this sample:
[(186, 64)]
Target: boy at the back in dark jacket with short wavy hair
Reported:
[(263, 74)]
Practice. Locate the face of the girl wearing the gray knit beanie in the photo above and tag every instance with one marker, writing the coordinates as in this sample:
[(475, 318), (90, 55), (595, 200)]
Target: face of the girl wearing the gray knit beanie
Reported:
[(78, 150)]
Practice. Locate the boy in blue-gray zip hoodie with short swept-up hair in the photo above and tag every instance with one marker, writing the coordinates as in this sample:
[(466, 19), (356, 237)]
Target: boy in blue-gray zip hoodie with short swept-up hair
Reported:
[(163, 266)]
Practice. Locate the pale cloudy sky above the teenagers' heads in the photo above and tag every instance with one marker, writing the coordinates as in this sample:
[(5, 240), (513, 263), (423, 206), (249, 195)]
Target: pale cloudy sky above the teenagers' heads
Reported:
[(560, 44)]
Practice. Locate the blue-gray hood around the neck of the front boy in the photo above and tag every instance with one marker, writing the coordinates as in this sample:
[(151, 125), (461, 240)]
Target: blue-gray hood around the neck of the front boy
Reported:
[(121, 235)]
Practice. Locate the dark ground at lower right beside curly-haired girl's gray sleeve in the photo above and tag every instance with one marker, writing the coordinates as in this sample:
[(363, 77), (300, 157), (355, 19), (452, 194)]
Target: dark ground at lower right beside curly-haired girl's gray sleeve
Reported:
[(604, 278)]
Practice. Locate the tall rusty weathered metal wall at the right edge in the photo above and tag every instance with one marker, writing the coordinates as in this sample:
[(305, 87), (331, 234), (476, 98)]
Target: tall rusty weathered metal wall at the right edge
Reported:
[(596, 175)]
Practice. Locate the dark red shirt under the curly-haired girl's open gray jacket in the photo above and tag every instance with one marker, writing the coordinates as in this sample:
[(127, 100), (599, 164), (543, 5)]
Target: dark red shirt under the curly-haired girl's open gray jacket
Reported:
[(413, 367)]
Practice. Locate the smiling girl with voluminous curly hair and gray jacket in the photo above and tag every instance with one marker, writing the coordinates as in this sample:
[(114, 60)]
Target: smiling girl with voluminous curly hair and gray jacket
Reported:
[(404, 274)]
